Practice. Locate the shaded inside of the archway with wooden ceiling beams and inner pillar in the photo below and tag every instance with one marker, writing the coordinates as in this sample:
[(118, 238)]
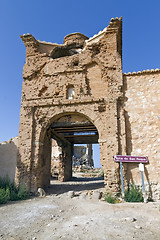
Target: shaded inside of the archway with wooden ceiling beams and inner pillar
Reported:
[(67, 129)]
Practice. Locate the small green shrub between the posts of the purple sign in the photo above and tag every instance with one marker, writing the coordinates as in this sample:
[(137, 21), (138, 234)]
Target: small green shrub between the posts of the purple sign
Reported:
[(133, 194)]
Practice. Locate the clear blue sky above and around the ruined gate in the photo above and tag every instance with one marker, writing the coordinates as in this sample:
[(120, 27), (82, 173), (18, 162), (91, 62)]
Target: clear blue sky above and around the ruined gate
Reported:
[(52, 20)]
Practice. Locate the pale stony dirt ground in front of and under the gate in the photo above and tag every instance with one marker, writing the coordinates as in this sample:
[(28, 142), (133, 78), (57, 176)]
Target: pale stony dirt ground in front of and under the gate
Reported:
[(60, 215)]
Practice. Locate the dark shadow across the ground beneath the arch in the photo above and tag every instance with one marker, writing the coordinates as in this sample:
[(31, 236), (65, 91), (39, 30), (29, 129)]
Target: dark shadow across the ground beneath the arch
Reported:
[(75, 184)]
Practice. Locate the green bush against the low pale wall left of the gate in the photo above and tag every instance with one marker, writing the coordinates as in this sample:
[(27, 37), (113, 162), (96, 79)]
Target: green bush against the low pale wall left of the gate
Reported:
[(9, 192)]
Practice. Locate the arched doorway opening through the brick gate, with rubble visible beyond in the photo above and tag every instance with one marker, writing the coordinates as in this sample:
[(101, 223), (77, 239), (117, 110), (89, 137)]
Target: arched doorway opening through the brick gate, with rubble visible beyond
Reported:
[(69, 130)]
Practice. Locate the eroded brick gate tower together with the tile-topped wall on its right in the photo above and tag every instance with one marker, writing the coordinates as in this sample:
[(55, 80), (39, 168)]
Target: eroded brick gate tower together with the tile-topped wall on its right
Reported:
[(79, 87)]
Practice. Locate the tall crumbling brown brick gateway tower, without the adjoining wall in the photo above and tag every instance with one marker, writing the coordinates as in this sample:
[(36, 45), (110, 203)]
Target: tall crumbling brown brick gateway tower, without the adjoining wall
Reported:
[(93, 67)]
